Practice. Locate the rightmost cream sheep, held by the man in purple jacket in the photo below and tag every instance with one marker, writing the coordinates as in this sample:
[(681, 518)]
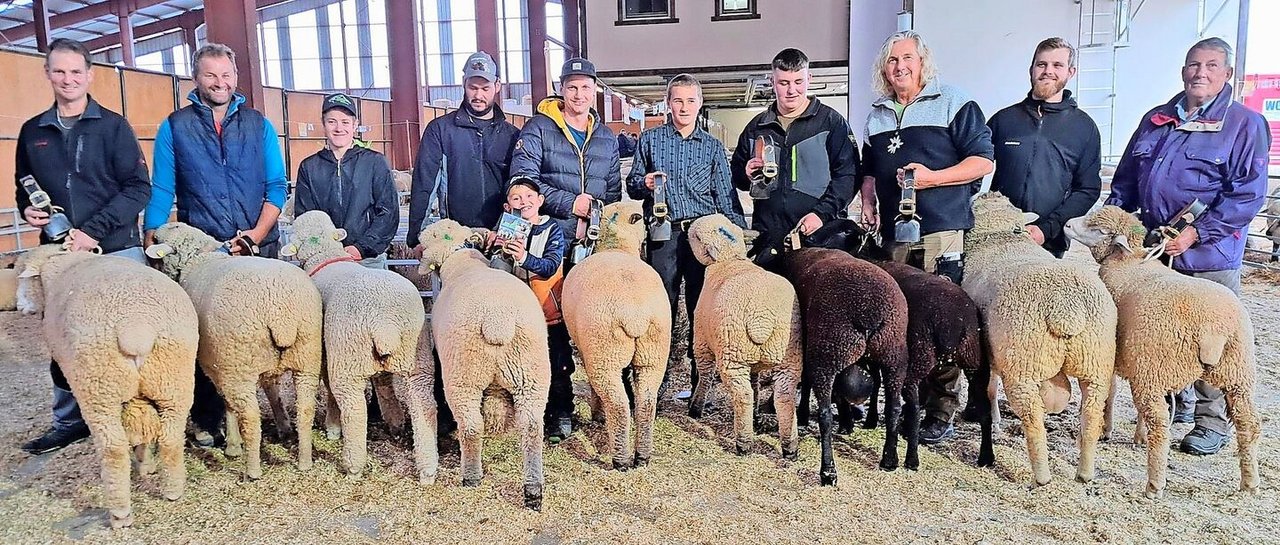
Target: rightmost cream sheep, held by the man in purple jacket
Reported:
[(1173, 331)]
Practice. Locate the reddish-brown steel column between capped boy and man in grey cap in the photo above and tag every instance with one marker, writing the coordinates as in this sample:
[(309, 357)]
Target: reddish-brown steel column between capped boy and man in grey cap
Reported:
[(406, 106)]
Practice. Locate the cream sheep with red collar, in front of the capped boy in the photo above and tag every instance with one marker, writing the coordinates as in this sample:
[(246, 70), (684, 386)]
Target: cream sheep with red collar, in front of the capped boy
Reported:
[(372, 324)]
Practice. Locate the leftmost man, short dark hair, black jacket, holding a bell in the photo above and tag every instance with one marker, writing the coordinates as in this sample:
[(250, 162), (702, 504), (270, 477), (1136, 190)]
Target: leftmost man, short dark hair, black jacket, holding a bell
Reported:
[(88, 159)]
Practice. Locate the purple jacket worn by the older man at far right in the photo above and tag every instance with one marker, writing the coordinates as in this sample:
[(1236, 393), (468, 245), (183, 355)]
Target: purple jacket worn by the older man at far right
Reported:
[(1219, 158)]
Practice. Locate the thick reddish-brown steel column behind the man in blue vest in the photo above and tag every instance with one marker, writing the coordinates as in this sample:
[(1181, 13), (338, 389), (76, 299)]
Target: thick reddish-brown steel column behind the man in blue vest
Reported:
[(235, 24)]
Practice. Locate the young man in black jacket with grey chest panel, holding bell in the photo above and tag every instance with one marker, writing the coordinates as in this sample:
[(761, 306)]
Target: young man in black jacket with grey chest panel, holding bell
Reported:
[(817, 158)]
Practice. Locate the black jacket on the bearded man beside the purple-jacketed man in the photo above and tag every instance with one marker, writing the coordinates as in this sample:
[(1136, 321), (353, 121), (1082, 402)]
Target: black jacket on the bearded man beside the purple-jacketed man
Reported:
[(1048, 162)]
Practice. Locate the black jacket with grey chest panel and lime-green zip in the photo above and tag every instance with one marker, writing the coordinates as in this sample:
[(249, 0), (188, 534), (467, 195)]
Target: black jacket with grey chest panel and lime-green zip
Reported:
[(817, 168)]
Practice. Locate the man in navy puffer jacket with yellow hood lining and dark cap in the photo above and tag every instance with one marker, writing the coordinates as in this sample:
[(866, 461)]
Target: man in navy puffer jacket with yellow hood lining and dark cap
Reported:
[(574, 158)]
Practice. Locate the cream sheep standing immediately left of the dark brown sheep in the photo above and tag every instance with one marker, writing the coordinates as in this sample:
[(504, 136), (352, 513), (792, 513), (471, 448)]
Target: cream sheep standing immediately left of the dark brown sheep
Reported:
[(748, 322)]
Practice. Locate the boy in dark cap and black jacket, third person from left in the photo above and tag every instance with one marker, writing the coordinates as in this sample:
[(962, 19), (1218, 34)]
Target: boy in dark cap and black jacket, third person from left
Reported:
[(351, 184)]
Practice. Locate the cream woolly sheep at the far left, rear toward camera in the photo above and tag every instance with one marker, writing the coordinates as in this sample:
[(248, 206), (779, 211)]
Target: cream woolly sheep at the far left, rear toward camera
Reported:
[(126, 338)]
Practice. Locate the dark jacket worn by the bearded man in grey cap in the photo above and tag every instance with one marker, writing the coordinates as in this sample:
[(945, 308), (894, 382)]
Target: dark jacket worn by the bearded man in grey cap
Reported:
[(478, 153)]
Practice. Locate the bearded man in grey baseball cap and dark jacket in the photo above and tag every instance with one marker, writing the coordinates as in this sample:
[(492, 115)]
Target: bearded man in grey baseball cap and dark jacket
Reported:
[(467, 154)]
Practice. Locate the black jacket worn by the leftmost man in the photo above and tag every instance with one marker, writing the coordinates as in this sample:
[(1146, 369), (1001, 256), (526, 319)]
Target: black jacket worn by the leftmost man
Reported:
[(97, 175)]
